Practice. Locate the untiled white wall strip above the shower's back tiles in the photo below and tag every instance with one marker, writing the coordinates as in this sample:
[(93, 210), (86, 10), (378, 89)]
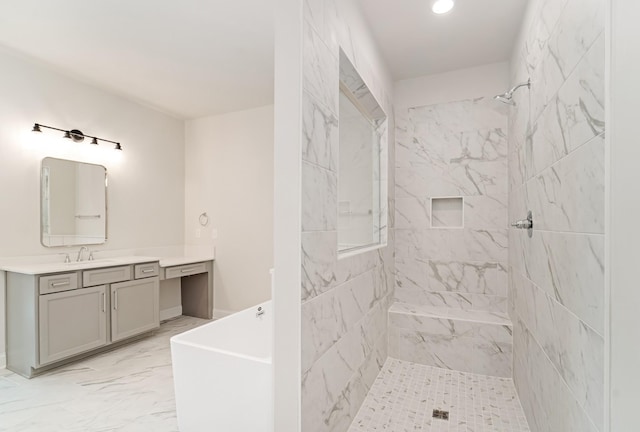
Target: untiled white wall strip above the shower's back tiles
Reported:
[(471, 83)]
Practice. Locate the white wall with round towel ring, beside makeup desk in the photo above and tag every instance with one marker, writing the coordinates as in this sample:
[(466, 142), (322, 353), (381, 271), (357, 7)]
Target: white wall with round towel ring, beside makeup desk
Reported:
[(229, 175)]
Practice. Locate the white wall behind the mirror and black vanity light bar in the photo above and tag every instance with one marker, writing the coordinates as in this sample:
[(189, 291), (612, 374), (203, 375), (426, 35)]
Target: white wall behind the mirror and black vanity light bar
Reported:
[(146, 179)]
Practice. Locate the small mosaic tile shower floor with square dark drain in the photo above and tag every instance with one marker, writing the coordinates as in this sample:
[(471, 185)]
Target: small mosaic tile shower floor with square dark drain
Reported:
[(404, 395)]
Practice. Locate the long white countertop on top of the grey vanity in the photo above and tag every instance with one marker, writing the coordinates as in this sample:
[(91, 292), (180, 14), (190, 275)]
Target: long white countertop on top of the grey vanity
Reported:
[(34, 268)]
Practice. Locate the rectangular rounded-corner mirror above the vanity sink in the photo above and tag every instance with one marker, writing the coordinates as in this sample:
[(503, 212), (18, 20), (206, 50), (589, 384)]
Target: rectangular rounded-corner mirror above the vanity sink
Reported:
[(73, 203)]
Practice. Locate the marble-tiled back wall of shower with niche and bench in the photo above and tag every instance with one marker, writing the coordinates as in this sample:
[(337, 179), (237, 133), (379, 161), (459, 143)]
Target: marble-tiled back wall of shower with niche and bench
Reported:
[(451, 281)]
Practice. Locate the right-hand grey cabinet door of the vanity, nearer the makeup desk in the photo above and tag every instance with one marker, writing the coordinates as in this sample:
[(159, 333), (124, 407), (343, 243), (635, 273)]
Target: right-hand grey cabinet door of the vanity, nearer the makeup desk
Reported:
[(135, 307)]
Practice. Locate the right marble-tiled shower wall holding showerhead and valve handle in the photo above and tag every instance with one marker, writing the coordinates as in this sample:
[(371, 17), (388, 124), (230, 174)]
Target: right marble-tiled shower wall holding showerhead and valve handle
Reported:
[(556, 169)]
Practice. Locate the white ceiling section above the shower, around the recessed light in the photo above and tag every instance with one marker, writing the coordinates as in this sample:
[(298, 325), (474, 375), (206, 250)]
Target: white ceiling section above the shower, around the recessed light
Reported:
[(417, 42)]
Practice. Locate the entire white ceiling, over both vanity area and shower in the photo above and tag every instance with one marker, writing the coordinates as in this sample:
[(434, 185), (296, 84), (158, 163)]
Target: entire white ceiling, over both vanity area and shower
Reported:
[(193, 58)]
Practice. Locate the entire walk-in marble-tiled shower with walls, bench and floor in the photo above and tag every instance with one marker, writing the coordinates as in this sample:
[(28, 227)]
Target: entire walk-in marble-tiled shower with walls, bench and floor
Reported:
[(458, 295)]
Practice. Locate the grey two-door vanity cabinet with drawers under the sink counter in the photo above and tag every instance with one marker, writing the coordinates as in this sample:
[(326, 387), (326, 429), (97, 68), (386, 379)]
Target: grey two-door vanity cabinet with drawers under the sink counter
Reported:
[(56, 318)]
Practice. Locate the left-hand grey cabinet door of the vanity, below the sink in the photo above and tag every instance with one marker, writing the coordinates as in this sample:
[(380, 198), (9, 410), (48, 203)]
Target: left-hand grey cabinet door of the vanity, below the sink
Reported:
[(72, 322)]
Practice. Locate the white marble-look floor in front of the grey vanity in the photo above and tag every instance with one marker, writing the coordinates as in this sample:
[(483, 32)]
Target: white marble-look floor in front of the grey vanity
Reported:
[(128, 389)]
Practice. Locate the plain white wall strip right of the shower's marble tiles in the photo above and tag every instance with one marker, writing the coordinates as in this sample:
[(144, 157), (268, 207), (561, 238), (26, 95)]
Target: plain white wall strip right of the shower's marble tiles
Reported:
[(622, 237)]
